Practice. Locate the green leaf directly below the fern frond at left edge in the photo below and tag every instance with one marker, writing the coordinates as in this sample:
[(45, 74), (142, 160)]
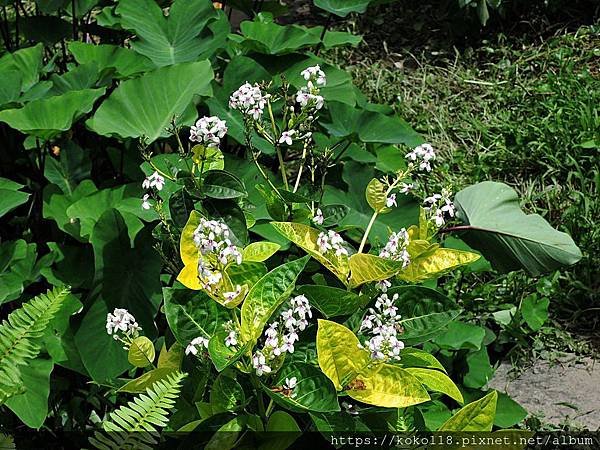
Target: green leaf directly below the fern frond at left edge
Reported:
[(32, 405)]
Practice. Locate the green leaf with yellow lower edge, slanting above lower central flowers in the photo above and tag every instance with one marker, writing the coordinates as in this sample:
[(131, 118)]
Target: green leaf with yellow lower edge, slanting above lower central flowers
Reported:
[(266, 296)]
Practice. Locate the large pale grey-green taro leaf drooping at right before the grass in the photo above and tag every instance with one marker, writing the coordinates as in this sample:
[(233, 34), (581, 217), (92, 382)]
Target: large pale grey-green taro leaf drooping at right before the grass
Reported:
[(507, 237)]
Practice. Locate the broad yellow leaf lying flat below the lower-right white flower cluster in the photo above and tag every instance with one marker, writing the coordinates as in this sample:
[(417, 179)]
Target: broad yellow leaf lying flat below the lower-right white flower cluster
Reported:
[(388, 386)]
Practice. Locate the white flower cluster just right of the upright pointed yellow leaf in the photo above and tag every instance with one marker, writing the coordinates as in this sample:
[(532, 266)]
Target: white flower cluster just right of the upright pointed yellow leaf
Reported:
[(383, 324)]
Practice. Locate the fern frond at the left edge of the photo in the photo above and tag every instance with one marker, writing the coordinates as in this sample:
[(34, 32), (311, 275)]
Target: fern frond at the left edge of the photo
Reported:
[(19, 335)]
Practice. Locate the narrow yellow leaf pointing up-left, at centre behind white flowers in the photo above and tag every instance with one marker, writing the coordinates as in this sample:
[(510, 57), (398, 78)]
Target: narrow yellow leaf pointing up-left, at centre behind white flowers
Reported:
[(305, 237)]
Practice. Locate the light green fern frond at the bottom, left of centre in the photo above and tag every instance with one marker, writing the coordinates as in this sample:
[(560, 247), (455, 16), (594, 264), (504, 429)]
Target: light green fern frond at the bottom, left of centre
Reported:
[(134, 426)]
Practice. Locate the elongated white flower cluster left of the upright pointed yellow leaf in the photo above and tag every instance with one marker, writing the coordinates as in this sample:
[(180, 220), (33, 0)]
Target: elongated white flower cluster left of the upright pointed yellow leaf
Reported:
[(282, 334)]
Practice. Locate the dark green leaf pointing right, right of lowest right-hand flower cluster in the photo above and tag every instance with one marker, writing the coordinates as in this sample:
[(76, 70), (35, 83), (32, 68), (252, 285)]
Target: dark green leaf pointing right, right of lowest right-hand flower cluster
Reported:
[(425, 312)]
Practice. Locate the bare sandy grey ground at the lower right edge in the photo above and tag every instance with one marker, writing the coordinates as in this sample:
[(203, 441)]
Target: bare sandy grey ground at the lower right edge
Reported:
[(564, 392)]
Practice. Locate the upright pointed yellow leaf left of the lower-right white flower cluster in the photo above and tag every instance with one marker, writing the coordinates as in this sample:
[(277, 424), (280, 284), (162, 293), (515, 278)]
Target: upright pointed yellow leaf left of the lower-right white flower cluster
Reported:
[(339, 354)]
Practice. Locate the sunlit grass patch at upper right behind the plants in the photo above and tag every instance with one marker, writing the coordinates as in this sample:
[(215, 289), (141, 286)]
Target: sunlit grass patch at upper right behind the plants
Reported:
[(521, 112)]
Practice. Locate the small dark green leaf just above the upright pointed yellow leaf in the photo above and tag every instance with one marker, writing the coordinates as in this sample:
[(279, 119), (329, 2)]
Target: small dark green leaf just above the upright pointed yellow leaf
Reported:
[(331, 301)]
